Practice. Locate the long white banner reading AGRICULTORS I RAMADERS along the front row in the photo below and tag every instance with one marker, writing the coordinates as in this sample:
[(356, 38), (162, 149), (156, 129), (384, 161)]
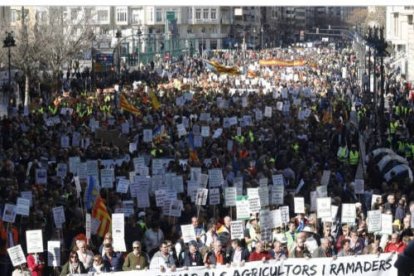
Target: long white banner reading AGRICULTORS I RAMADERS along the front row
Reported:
[(364, 265)]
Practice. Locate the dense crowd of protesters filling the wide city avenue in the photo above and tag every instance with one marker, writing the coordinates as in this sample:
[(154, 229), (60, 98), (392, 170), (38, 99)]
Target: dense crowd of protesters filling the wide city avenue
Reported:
[(292, 121)]
